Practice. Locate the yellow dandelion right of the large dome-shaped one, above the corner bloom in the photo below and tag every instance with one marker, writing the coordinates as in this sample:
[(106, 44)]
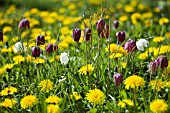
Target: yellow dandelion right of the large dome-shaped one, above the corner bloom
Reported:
[(157, 83)]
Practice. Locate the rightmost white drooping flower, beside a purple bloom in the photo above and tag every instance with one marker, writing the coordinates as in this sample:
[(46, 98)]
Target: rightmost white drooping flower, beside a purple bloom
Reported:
[(141, 43)]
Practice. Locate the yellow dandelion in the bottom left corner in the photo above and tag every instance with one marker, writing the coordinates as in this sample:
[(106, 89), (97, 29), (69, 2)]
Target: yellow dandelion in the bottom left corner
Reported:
[(8, 103)]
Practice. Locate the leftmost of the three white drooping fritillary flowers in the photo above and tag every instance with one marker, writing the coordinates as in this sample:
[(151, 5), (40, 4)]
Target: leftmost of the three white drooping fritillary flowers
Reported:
[(19, 47)]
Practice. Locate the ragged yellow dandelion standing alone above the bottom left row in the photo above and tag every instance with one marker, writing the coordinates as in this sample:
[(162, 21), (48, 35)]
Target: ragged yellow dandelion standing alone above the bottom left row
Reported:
[(46, 85)]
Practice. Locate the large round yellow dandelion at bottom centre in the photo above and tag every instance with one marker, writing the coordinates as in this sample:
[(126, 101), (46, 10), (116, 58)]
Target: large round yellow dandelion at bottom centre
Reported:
[(95, 96)]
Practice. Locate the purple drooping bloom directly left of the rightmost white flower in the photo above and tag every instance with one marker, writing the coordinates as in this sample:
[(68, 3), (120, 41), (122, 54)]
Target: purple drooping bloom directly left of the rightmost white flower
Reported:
[(130, 45)]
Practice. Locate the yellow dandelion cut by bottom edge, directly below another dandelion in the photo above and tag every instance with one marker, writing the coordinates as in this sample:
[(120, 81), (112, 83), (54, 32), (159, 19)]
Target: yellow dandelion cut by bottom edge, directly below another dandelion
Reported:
[(53, 108)]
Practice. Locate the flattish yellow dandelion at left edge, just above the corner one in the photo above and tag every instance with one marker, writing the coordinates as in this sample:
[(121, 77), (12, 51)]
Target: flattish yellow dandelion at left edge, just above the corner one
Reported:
[(8, 91)]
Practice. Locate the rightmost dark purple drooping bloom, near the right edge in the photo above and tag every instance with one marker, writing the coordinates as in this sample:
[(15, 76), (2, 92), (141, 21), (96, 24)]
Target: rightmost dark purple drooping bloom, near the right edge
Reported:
[(162, 62)]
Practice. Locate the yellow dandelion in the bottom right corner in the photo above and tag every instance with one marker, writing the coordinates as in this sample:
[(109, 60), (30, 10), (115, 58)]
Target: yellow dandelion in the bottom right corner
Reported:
[(158, 106)]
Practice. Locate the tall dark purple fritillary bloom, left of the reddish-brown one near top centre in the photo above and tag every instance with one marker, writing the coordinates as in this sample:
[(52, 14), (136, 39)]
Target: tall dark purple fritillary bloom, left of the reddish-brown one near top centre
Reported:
[(100, 24)]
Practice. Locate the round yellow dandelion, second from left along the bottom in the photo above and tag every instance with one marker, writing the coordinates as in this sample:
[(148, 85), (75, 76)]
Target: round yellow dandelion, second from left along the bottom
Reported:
[(28, 101)]
